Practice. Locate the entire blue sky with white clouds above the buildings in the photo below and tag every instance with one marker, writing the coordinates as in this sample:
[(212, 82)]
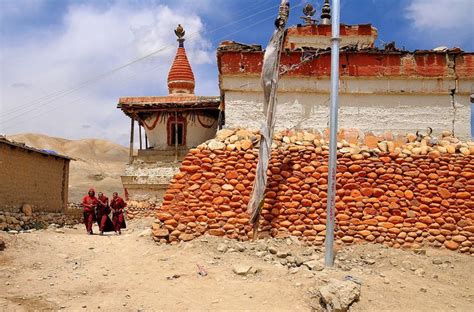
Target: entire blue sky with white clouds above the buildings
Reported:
[(48, 48)]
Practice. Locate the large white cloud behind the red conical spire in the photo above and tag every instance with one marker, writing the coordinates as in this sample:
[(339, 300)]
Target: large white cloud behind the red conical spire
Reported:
[(91, 41)]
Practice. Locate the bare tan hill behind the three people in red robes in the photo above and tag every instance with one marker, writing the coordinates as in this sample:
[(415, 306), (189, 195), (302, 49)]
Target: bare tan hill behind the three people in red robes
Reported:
[(98, 164)]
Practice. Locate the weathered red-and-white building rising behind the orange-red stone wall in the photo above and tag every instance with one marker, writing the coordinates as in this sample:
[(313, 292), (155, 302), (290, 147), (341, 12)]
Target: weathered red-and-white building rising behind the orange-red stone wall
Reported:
[(381, 90)]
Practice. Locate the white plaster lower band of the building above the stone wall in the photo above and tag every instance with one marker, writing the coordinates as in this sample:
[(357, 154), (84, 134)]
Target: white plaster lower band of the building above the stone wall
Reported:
[(378, 108)]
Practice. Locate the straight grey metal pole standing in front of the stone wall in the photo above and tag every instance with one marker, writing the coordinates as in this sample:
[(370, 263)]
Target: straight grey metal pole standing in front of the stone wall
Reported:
[(331, 200)]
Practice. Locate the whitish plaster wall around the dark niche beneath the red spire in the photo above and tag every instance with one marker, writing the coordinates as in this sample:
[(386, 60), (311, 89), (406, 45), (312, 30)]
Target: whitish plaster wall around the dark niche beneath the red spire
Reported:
[(195, 133)]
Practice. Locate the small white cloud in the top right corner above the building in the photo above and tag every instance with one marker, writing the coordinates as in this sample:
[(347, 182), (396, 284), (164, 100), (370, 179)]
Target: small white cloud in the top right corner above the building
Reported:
[(442, 22)]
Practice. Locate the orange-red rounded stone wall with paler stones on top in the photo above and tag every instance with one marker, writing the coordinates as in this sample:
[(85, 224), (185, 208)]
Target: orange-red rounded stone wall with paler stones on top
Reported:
[(403, 196)]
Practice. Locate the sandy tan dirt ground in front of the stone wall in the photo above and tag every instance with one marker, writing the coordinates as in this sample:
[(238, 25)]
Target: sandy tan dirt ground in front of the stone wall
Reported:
[(65, 269)]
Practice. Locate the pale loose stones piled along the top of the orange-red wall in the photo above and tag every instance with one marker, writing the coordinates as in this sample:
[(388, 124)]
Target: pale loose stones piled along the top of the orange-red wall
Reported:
[(350, 142)]
